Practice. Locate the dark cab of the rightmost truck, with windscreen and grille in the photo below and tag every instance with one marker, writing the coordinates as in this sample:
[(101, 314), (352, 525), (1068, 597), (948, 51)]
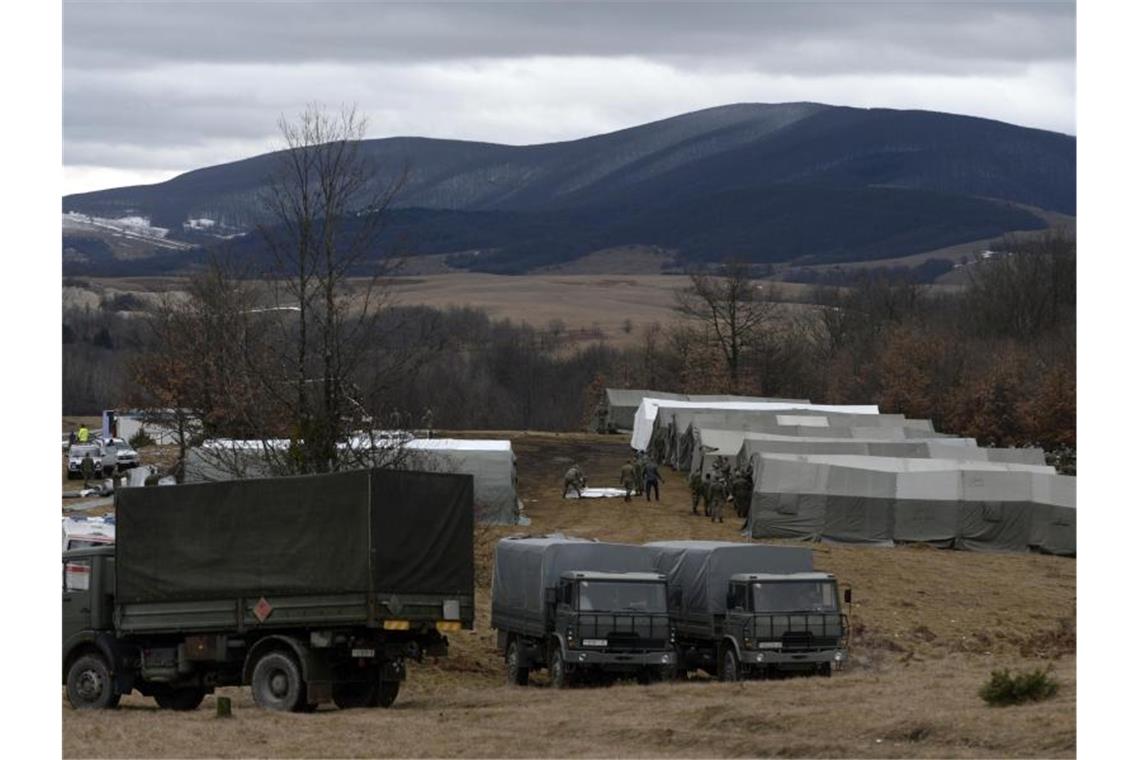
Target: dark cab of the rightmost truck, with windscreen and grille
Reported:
[(784, 623)]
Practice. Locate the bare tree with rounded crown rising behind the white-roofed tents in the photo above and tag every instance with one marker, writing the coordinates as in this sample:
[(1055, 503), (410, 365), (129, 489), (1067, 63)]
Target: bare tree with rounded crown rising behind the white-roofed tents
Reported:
[(732, 308)]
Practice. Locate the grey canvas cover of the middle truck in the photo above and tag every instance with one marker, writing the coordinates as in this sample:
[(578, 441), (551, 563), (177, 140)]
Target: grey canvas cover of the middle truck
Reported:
[(526, 567)]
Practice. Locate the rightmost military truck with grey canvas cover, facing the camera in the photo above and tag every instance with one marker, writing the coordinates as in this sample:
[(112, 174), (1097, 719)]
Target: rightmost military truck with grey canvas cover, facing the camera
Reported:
[(744, 610)]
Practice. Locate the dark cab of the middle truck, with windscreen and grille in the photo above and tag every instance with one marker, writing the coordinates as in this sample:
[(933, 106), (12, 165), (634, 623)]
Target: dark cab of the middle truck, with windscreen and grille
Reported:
[(610, 623)]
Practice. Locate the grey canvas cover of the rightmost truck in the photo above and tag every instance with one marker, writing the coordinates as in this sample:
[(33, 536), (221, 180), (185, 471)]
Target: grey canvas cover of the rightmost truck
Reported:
[(702, 569)]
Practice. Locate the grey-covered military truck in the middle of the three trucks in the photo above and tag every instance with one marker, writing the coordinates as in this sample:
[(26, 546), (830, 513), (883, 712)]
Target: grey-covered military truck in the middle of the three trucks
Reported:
[(587, 611)]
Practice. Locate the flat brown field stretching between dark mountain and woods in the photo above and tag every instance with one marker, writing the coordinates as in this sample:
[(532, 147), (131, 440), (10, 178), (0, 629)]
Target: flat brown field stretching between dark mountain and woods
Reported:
[(598, 306)]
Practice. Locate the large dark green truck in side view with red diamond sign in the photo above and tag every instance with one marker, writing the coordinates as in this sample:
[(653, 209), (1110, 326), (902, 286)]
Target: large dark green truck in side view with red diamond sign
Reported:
[(310, 590)]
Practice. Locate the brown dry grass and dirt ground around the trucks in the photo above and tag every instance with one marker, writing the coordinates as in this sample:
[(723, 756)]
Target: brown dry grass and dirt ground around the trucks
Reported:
[(929, 628)]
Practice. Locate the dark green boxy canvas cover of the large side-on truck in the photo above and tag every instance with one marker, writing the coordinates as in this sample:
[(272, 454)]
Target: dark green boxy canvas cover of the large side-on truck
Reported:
[(363, 532)]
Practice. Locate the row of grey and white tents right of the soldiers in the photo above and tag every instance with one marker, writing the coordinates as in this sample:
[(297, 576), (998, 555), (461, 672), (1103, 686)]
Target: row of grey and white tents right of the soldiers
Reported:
[(849, 473)]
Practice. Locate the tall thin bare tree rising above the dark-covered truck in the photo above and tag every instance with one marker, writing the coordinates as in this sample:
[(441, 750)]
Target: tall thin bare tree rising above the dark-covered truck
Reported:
[(327, 205)]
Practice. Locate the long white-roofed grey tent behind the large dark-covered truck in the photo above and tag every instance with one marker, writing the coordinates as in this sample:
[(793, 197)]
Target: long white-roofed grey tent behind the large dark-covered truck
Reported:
[(491, 463)]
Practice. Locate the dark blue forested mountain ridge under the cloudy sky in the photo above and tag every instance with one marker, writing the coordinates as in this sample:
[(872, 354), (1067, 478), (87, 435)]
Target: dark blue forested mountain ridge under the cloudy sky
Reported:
[(886, 177)]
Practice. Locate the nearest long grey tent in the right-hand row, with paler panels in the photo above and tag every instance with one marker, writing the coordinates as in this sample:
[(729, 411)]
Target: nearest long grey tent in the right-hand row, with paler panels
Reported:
[(949, 503)]
